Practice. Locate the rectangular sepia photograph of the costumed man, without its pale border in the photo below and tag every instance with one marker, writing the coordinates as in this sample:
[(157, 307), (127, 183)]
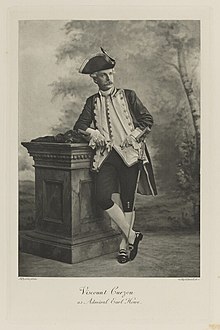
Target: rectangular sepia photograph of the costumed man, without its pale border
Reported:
[(109, 148)]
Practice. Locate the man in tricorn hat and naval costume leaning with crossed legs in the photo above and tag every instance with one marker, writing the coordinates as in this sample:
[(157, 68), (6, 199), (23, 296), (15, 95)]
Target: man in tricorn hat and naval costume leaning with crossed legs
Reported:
[(117, 122)]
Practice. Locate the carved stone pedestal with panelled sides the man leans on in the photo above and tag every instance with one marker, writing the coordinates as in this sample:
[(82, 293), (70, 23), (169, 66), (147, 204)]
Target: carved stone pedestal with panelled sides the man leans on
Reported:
[(69, 225)]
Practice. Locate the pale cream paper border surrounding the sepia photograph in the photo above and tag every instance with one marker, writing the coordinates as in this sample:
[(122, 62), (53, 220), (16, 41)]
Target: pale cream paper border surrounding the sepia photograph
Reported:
[(177, 309)]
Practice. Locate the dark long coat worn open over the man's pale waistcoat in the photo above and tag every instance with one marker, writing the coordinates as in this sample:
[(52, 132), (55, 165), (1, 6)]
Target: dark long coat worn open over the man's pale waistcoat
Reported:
[(141, 119)]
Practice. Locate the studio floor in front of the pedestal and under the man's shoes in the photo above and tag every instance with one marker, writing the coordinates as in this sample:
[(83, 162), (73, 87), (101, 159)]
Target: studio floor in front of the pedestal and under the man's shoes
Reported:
[(161, 254)]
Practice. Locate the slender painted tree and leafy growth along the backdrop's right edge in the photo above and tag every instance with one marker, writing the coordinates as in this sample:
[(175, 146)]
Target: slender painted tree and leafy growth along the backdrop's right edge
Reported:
[(180, 44)]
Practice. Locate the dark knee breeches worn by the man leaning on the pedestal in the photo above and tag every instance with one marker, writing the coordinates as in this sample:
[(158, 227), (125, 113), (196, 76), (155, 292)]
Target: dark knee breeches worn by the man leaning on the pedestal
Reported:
[(113, 172)]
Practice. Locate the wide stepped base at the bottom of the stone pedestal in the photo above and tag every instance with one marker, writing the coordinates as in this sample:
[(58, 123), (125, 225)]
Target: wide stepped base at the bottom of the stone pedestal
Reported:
[(67, 250)]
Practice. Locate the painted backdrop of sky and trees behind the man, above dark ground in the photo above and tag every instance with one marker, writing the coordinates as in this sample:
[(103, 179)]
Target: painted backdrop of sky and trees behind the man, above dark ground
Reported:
[(158, 59)]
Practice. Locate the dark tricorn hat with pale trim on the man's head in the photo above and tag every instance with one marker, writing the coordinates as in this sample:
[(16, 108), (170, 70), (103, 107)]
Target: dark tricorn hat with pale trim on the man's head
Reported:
[(97, 62)]
